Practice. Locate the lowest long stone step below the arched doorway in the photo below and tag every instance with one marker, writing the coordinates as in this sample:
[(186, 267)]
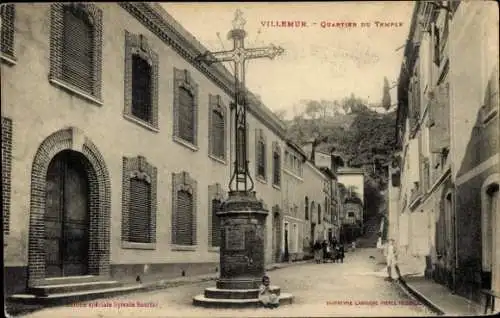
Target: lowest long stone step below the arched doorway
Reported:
[(71, 297)]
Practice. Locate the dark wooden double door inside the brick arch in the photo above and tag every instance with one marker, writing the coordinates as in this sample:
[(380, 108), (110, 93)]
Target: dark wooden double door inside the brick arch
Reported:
[(67, 216)]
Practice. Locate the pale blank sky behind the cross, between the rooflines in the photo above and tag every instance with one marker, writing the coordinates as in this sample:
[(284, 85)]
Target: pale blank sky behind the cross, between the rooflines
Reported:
[(319, 63)]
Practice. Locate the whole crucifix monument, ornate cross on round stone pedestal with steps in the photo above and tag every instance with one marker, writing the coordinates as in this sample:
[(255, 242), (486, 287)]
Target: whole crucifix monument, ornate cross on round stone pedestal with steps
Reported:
[(242, 215)]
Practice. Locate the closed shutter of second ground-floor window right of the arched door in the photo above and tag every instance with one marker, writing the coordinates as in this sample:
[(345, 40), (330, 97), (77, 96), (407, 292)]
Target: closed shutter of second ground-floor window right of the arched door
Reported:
[(184, 219)]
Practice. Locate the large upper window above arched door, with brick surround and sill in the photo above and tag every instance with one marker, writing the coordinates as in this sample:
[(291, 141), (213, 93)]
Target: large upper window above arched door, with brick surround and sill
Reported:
[(76, 49)]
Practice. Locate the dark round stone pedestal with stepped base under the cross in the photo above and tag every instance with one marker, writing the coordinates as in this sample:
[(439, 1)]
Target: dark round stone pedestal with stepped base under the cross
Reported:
[(242, 254)]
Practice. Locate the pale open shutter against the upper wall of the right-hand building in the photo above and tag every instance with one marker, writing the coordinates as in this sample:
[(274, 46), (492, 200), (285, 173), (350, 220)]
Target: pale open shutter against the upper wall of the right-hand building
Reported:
[(440, 131)]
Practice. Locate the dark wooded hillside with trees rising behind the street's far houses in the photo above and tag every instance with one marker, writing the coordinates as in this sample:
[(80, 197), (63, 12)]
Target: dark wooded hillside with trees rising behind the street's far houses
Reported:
[(361, 135)]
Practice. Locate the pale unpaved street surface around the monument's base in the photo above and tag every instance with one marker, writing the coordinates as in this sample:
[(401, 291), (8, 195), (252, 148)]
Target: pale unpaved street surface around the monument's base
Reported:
[(354, 288)]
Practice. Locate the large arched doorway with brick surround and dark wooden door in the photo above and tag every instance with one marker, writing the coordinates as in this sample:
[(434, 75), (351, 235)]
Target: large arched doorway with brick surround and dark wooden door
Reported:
[(70, 206)]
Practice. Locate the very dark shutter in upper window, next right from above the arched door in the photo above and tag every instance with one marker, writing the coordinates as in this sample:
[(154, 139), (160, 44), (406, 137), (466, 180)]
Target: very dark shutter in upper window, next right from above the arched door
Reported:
[(141, 88)]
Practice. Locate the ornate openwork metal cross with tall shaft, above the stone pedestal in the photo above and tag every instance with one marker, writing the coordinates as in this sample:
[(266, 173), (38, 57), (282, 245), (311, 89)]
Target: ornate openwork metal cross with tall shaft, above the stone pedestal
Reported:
[(239, 55)]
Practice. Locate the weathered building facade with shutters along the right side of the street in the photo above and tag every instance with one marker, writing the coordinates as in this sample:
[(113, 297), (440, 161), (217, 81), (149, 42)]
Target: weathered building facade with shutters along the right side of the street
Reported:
[(448, 134)]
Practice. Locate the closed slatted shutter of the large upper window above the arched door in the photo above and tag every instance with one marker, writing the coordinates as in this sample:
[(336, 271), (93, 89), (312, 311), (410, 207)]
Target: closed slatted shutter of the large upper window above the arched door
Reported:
[(77, 53)]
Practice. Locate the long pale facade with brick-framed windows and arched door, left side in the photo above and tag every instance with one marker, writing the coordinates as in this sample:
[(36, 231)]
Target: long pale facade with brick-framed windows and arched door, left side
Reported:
[(117, 148)]
